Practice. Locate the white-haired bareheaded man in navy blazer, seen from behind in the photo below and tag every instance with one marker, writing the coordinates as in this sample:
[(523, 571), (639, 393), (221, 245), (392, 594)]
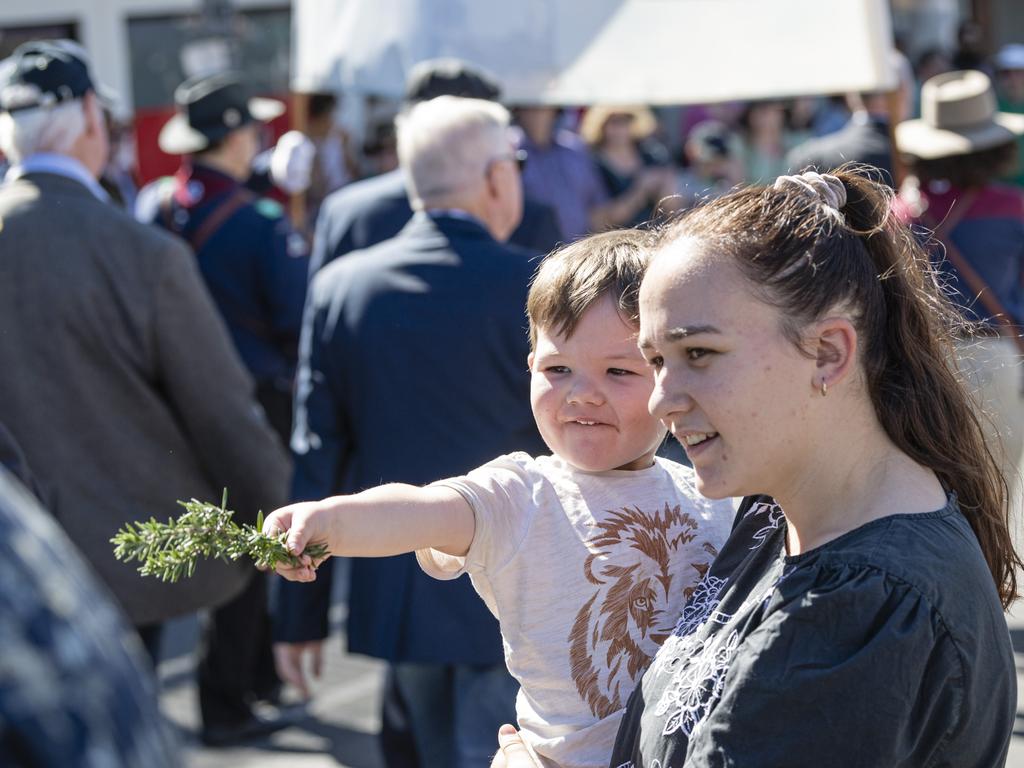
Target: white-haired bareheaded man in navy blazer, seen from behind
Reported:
[(413, 368)]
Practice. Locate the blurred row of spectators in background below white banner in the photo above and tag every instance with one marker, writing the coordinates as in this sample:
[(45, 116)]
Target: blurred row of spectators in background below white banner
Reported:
[(628, 164)]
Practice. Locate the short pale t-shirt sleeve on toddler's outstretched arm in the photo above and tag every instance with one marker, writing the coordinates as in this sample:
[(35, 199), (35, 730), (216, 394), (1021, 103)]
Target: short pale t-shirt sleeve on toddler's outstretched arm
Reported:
[(503, 497)]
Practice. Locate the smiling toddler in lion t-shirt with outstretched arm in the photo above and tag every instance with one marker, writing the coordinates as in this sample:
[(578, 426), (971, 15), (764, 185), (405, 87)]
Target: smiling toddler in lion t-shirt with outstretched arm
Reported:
[(585, 557)]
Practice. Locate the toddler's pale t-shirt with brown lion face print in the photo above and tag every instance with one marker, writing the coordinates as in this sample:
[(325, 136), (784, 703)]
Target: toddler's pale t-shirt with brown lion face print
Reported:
[(587, 574)]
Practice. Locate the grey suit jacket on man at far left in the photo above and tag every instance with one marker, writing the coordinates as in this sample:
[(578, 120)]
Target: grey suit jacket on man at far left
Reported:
[(119, 381)]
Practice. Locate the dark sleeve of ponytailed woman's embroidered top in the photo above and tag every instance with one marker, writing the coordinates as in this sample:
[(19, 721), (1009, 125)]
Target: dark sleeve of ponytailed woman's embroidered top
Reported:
[(858, 671)]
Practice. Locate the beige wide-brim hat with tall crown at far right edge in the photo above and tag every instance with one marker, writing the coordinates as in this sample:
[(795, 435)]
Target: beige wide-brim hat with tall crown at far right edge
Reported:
[(959, 116)]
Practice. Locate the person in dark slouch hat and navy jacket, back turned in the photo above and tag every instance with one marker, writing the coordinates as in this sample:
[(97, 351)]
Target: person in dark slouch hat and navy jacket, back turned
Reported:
[(255, 267)]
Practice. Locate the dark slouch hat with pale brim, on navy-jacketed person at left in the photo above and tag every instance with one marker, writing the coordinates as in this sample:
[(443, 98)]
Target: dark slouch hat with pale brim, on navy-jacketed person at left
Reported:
[(210, 108)]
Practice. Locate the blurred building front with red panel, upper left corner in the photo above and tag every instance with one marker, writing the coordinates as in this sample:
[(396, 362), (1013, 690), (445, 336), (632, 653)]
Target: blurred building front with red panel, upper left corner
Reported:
[(145, 49)]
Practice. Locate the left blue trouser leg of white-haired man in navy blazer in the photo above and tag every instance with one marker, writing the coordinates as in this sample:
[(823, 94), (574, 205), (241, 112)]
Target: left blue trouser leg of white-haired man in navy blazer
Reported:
[(428, 692)]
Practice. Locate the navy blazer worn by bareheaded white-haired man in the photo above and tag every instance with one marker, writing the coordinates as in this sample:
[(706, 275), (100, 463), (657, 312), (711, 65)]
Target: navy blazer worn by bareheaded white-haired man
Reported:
[(413, 368)]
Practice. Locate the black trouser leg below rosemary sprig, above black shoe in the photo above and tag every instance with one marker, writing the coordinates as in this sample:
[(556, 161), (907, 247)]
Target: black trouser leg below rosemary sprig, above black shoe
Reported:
[(234, 644)]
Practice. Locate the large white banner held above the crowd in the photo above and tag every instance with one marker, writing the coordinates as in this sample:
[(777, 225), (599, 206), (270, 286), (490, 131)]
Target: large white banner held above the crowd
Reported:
[(592, 52)]
